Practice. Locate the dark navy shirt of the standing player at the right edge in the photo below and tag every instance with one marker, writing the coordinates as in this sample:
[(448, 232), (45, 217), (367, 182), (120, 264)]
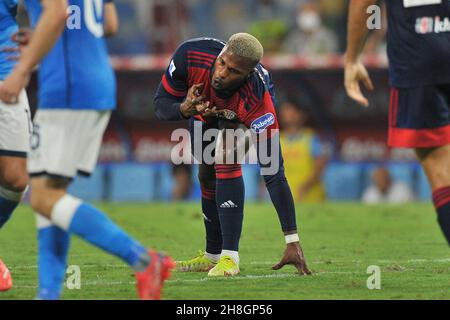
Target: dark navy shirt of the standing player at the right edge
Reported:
[(418, 42)]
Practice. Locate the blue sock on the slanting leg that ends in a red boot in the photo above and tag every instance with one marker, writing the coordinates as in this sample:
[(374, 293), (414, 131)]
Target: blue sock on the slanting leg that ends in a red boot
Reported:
[(94, 226)]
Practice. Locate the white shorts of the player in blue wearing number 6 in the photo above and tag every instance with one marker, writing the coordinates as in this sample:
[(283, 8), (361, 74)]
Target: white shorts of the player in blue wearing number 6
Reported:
[(66, 142)]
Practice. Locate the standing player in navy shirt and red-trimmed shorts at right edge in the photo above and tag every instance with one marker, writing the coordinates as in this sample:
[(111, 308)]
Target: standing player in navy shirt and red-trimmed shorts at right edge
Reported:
[(419, 72)]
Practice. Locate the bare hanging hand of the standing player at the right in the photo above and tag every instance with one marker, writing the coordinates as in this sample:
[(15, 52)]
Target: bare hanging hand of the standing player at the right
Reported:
[(354, 73)]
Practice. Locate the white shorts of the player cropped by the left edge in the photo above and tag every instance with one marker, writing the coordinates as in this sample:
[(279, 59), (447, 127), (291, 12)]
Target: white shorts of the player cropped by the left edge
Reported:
[(15, 127)]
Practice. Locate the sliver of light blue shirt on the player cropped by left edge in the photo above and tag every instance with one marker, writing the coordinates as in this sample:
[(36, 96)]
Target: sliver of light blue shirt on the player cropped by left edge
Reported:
[(8, 26)]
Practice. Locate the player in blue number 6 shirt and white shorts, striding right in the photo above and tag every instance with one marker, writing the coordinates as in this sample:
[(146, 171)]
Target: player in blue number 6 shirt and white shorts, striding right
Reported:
[(76, 95)]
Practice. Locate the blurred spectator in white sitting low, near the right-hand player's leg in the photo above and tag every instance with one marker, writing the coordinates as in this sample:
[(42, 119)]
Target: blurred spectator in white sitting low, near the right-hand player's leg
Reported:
[(383, 189)]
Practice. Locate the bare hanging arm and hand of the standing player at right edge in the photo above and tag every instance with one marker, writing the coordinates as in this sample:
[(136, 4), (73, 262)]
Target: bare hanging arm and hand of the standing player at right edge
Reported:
[(356, 34)]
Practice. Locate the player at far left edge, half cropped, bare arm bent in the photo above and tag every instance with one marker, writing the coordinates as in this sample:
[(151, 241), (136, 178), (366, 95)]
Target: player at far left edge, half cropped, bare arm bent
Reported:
[(15, 120)]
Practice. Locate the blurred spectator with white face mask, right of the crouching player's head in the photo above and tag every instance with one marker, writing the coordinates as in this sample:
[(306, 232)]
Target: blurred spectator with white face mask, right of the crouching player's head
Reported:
[(310, 36)]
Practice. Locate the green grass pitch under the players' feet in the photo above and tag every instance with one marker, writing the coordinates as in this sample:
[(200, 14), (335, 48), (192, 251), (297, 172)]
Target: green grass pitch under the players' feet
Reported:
[(340, 241)]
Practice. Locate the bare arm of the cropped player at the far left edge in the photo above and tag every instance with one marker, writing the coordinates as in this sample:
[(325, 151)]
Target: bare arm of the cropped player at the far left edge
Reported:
[(47, 31)]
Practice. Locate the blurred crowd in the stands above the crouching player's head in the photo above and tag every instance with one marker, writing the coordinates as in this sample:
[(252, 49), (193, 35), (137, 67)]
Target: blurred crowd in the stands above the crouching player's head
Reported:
[(300, 27)]
